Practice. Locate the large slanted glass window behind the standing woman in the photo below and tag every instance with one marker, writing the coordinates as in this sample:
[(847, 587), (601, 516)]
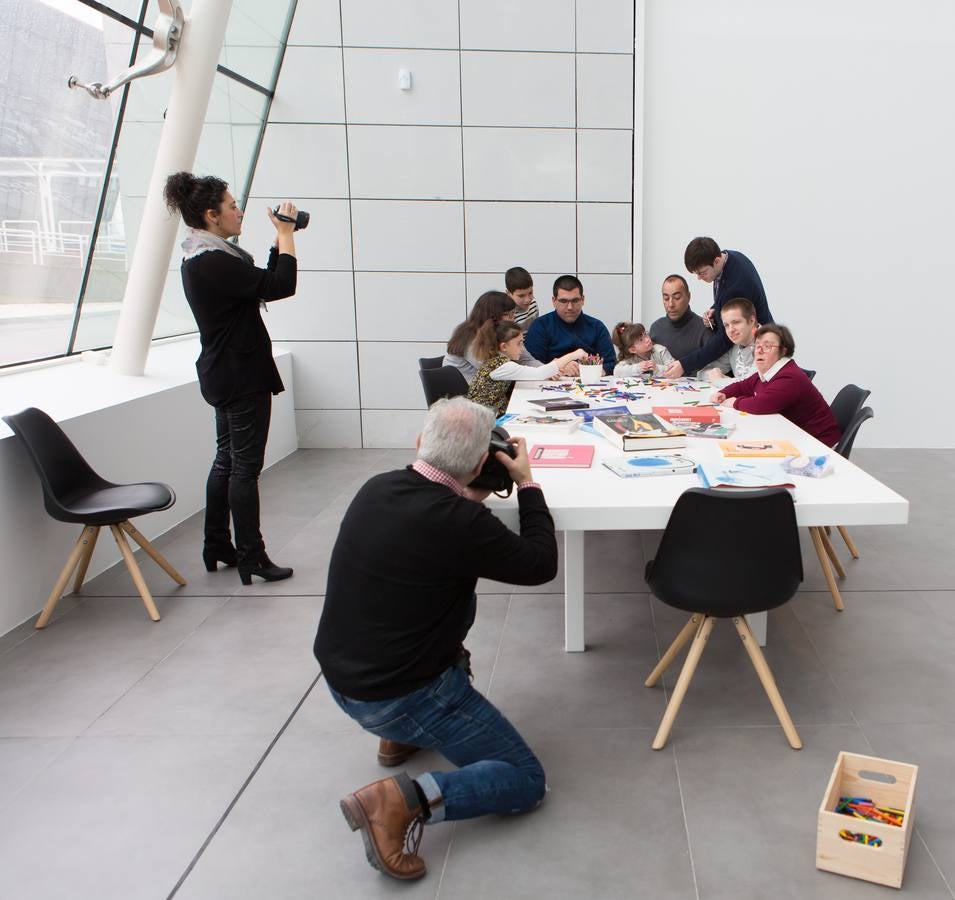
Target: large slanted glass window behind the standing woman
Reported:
[(70, 208)]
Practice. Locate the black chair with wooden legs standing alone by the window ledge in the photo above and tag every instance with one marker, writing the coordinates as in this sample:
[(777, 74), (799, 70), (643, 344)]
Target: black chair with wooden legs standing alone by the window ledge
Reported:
[(73, 492)]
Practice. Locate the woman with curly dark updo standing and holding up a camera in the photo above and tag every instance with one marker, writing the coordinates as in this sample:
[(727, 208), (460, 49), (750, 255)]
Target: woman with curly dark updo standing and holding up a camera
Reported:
[(237, 374)]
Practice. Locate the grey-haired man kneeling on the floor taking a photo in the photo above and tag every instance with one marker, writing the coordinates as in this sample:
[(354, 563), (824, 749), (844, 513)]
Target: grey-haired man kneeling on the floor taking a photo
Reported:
[(399, 602)]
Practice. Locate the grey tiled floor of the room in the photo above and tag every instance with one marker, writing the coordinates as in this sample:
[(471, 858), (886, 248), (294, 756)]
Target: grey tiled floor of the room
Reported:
[(201, 757)]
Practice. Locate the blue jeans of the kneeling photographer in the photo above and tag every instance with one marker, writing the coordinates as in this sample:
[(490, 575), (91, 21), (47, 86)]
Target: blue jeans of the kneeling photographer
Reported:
[(497, 772)]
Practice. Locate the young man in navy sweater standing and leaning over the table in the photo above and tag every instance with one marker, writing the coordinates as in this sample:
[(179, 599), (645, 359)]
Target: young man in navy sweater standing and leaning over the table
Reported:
[(733, 276)]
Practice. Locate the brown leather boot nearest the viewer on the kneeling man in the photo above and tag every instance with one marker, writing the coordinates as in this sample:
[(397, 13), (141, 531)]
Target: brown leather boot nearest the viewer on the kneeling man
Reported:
[(390, 816)]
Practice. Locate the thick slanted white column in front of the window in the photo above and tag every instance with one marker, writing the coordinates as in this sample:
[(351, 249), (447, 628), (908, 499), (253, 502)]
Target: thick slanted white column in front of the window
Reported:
[(195, 70)]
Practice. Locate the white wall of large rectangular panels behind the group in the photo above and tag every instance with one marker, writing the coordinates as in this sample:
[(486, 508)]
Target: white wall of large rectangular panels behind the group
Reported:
[(512, 147)]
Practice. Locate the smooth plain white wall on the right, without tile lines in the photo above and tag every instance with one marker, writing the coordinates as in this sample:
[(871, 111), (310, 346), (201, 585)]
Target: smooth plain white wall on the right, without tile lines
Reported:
[(818, 139)]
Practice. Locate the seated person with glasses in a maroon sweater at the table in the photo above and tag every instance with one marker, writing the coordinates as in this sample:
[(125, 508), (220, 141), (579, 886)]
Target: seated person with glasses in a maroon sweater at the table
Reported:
[(779, 385)]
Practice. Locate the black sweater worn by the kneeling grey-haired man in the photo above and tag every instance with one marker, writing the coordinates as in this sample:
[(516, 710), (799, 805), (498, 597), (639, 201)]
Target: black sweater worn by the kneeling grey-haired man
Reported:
[(402, 573)]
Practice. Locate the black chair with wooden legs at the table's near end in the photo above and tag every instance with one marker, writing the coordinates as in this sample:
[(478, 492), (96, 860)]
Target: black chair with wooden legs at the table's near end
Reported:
[(690, 572)]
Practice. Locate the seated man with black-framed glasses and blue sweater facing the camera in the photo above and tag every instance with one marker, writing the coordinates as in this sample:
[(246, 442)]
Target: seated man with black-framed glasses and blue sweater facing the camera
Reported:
[(569, 328)]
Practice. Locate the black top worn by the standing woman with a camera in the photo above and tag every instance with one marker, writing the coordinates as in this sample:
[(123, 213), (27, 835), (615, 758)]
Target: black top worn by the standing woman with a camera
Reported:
[(224, 293)]
